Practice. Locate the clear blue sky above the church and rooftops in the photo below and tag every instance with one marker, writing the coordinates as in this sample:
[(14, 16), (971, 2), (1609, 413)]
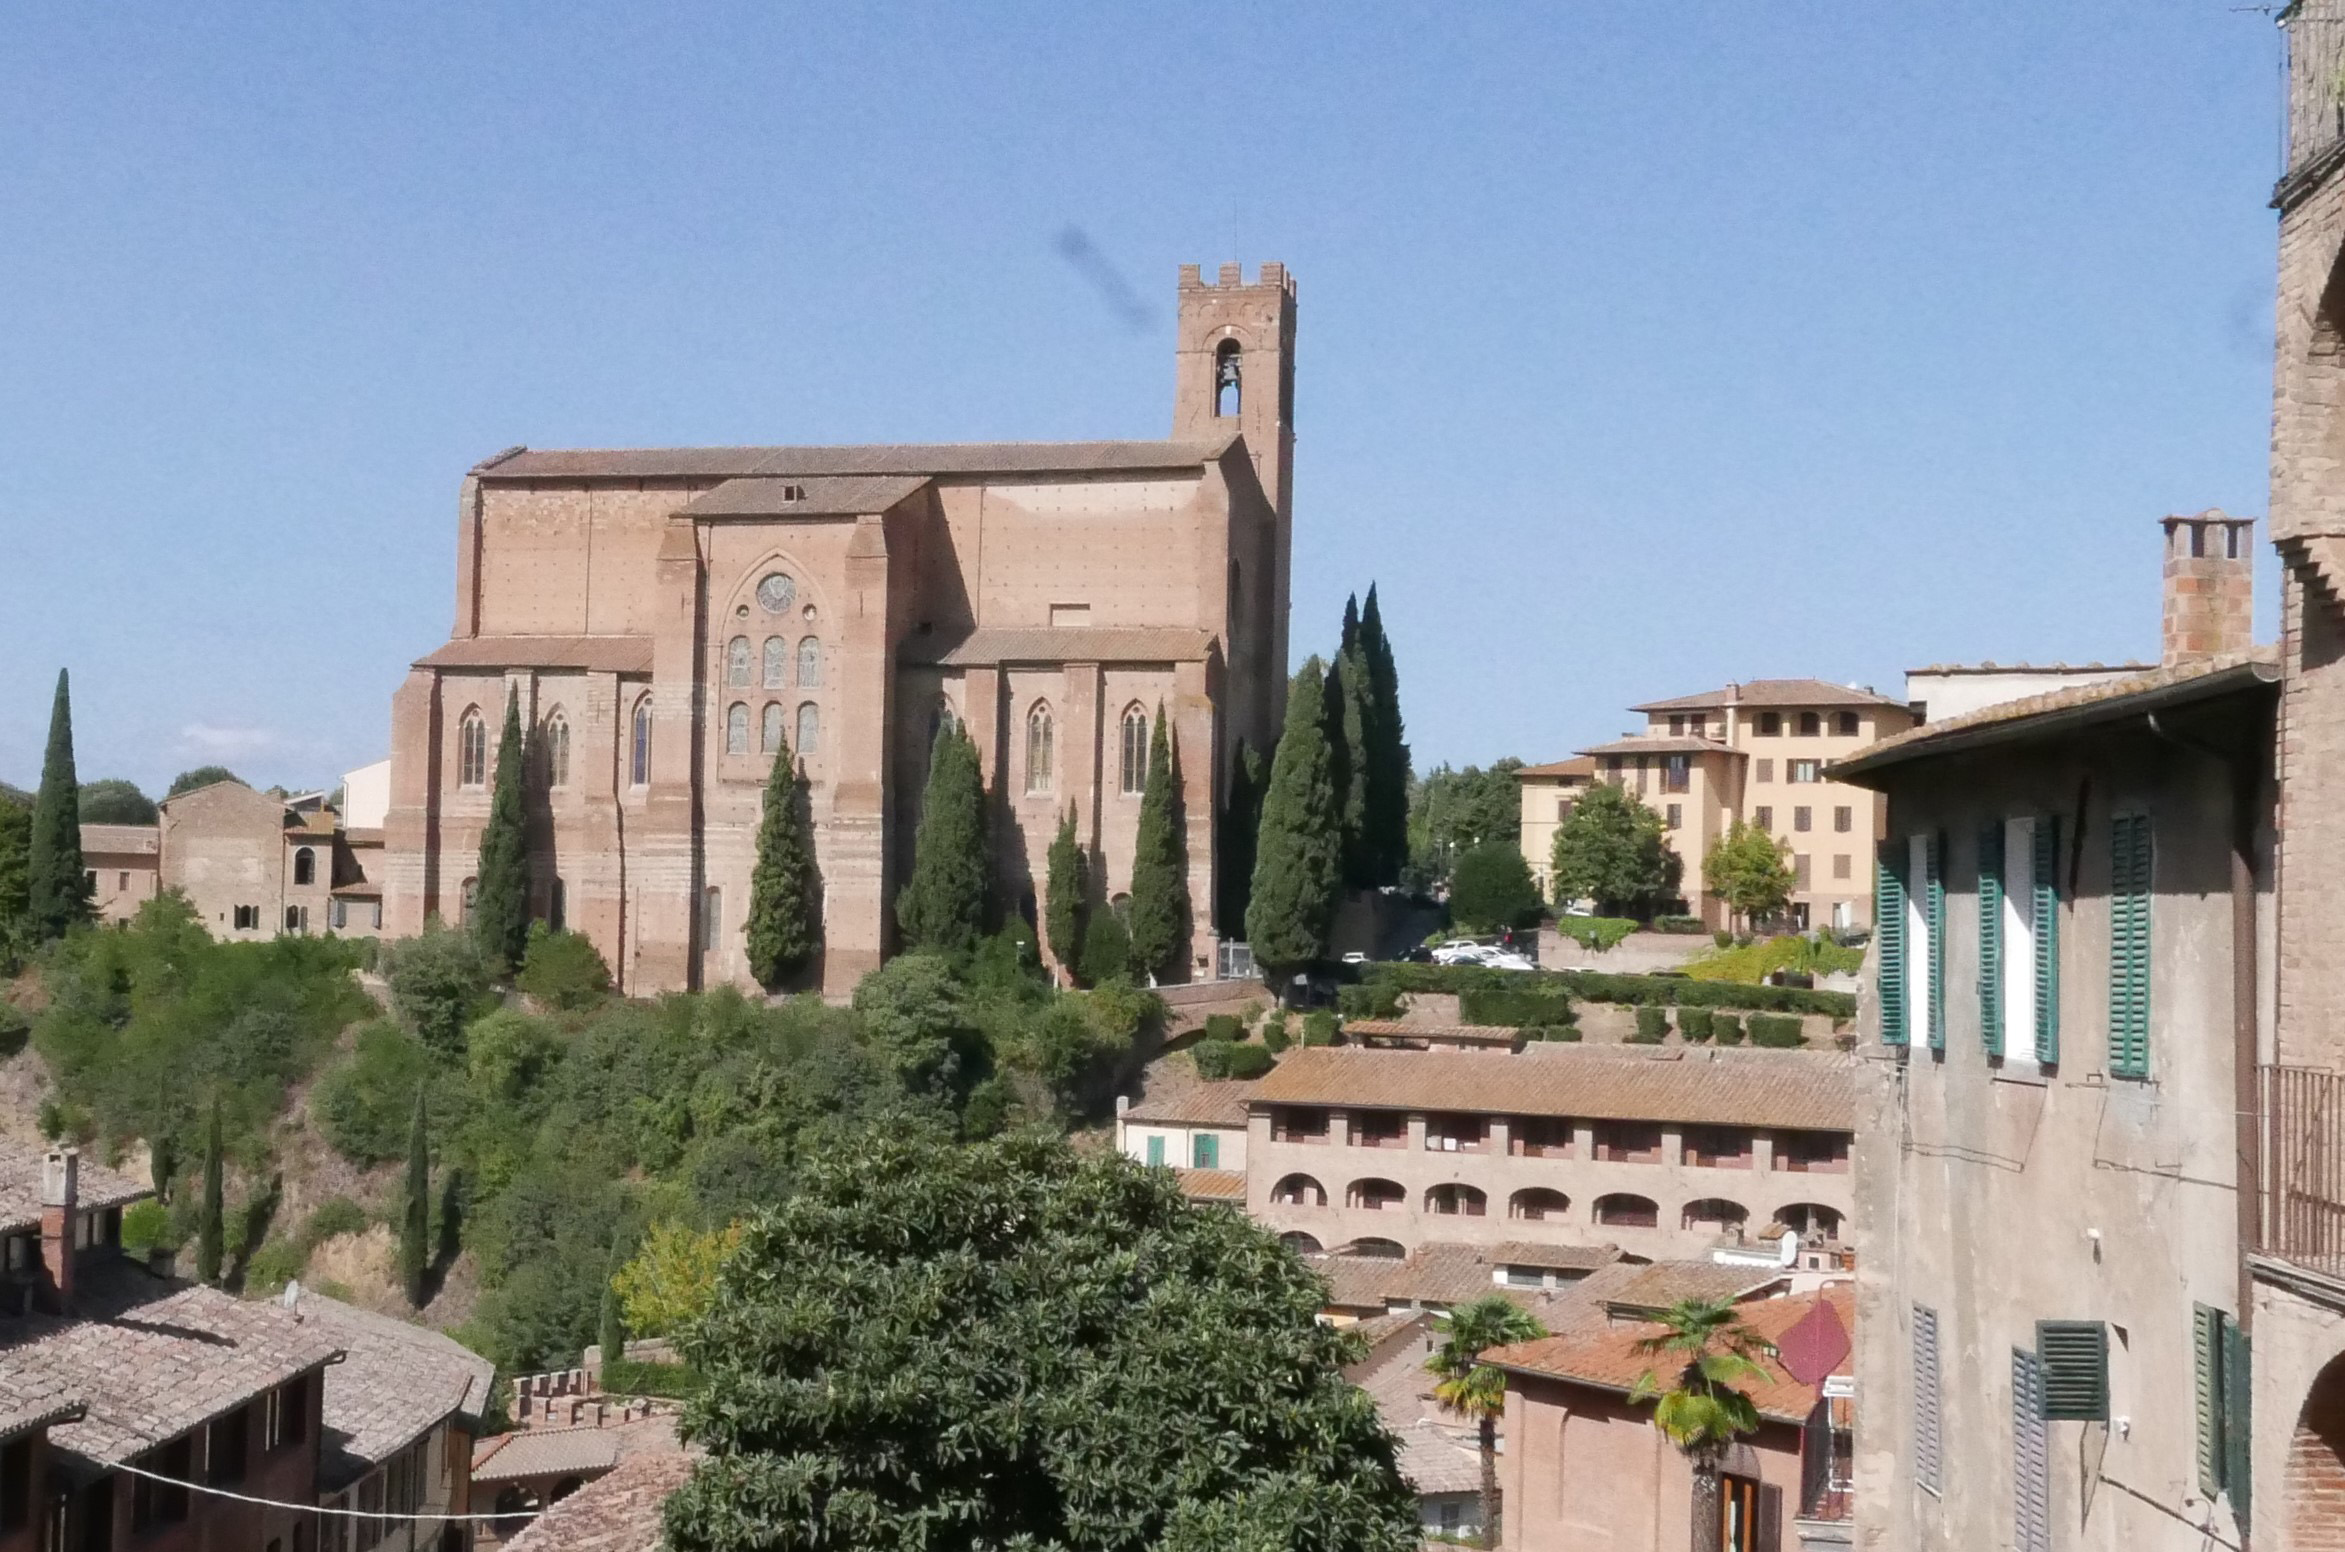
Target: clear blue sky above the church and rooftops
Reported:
[(1643, 348)]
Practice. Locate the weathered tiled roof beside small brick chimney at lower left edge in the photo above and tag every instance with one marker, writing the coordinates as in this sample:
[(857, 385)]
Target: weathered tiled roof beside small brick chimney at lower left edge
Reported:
[(151, 1359)]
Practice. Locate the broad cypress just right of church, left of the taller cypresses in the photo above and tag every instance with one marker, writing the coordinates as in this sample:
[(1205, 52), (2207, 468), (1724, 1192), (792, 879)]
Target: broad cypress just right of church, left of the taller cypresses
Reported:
[(1298, 850)]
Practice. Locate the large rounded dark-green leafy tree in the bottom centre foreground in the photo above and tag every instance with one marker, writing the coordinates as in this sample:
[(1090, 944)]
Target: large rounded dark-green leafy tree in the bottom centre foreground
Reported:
[(949, 1347)]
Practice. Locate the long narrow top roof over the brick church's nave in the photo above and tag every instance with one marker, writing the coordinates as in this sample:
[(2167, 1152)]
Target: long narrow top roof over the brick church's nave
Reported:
[(878, 458)]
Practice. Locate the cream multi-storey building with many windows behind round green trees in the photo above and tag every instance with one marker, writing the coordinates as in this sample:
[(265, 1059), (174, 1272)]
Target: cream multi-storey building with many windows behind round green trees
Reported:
[(1753, 751)]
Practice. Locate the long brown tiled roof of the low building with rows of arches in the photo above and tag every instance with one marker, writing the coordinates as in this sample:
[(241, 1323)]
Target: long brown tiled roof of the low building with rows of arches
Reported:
[(1804, 1091)]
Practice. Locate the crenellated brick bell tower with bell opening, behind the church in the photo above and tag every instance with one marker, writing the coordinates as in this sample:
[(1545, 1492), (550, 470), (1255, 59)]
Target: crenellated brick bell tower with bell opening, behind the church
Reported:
[(1235, 372)]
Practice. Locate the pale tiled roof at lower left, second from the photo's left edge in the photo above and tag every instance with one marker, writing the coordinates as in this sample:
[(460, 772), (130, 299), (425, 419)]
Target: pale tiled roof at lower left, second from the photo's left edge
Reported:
[(395, 1384)]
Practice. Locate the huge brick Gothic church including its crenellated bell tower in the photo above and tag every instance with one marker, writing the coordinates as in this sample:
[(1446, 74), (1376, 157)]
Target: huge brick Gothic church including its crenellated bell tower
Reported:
[(669, 618)]
